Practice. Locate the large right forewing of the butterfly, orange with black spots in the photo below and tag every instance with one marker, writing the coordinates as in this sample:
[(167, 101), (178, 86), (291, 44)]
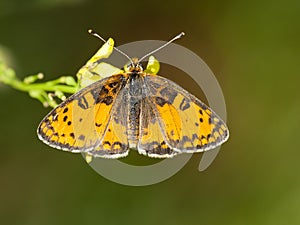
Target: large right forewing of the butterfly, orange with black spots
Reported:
[(187, 124)]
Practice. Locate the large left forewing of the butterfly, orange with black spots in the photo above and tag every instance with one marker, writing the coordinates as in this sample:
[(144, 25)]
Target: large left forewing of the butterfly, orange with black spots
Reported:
[(81, 123)]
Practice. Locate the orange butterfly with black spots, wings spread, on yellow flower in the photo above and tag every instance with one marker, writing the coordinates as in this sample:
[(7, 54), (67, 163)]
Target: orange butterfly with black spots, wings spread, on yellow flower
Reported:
[(133, 110)]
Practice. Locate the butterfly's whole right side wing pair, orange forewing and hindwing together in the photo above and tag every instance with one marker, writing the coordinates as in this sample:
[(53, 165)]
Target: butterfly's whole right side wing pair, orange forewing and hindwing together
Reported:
[(184, 122)]
